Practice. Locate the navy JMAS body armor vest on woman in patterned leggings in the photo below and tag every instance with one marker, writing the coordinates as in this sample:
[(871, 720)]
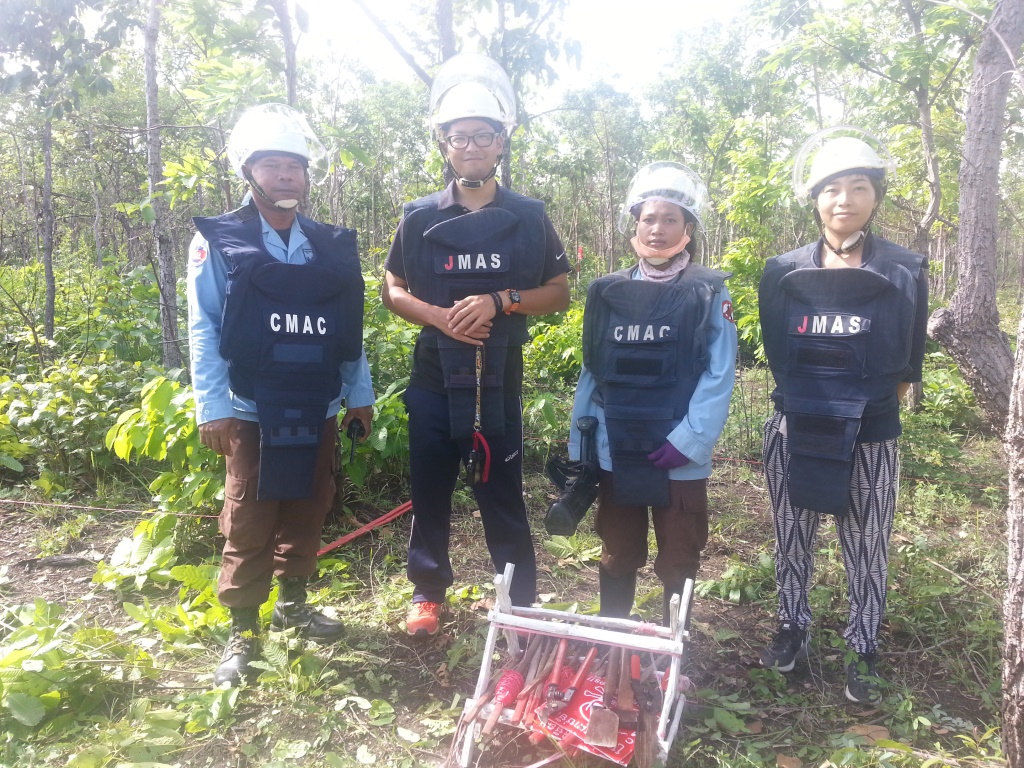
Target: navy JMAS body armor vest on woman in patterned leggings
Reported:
[(839, 343)]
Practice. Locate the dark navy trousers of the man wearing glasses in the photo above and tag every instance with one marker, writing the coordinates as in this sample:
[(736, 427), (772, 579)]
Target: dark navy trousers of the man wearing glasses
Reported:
[(436, 461)]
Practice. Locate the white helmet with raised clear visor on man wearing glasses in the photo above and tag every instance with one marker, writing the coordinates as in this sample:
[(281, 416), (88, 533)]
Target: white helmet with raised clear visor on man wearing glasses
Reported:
[(472, 86)]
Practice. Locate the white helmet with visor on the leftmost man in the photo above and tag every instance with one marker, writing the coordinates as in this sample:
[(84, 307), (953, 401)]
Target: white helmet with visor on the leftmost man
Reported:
[(275, 129)]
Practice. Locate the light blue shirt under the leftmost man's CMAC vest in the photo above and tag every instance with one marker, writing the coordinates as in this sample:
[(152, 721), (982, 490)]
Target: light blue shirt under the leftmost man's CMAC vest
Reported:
[(207, 282)]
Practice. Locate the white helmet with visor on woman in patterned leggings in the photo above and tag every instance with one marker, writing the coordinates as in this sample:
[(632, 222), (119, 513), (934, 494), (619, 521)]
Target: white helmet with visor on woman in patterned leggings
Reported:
[(835, 152)]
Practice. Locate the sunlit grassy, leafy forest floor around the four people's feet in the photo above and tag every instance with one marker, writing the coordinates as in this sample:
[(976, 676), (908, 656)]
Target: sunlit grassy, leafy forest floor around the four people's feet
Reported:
[(119, 673)]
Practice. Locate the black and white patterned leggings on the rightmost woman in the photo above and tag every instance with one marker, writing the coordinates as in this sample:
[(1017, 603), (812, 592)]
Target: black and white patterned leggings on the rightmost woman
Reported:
[(864, 533)]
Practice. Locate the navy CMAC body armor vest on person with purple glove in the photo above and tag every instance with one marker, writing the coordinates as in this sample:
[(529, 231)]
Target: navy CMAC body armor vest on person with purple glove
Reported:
[(647, 346)]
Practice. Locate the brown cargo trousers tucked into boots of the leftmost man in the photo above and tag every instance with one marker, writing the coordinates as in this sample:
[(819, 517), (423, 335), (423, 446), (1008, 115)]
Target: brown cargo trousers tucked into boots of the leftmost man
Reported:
[(270, 538)]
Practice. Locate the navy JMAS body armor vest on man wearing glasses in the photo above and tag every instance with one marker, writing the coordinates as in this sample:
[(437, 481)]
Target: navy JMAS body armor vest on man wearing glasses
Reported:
[(447, 260)]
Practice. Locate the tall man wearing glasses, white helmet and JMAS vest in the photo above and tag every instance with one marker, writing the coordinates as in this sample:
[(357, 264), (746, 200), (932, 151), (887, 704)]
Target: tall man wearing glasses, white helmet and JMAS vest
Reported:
[(470, 264)]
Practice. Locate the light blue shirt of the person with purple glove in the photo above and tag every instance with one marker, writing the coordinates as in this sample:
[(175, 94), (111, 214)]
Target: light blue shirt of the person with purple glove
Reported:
[(697, 435)]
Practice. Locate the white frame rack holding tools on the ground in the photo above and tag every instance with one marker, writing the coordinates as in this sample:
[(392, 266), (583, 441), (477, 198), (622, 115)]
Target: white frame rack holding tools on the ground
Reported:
[(622, 633)]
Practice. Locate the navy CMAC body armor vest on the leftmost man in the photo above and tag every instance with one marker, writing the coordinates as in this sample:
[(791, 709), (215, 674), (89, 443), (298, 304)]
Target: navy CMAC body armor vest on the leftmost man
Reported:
[(285, 332)]
